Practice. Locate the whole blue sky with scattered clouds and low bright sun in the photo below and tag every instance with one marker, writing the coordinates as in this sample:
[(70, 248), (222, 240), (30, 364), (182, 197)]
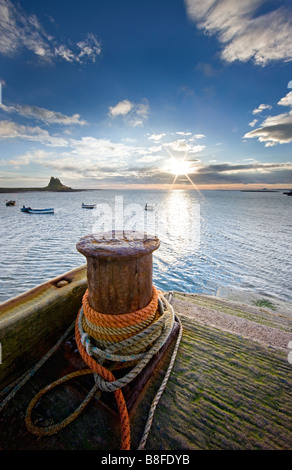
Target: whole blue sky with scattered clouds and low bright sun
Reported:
[(146, 94)]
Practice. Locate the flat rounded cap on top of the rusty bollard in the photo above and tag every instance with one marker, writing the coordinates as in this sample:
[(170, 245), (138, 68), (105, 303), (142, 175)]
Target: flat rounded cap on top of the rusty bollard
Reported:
[(117, 244)]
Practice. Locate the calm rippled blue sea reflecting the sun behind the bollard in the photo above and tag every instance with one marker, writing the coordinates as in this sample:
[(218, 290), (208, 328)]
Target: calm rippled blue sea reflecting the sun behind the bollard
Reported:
[(208, 240)]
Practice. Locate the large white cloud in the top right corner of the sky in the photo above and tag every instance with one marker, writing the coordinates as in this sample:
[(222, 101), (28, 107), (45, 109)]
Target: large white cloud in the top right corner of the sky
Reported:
[(244, 32)]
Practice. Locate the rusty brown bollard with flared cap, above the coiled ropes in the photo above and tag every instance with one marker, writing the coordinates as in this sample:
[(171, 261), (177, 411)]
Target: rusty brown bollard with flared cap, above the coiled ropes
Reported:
[(119, 270)]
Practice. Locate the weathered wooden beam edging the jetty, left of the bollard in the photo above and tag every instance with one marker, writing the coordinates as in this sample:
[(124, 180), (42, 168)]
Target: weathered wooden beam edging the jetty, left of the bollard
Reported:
[(31, 323)]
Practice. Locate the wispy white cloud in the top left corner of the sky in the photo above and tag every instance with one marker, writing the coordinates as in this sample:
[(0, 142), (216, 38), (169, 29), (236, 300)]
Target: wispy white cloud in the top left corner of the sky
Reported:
[(18, 31)]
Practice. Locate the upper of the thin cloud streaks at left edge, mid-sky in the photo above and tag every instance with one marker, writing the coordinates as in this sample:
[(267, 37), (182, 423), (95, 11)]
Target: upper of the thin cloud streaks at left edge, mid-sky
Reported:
[(44, 115)]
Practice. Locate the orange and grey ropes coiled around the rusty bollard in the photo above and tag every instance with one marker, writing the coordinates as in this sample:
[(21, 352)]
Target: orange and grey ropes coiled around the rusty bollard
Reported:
[(110, 343)]
